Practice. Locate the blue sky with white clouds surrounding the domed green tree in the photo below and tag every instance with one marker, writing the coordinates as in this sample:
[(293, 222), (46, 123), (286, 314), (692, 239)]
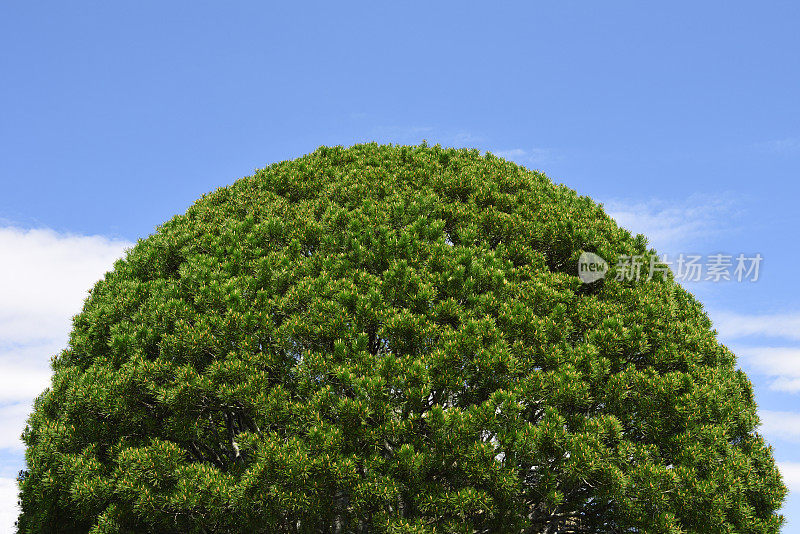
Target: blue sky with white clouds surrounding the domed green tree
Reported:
[(681, 117)]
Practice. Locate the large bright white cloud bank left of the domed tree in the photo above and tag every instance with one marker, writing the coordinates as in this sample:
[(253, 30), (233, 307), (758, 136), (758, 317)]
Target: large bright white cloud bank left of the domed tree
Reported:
[(44, 278)]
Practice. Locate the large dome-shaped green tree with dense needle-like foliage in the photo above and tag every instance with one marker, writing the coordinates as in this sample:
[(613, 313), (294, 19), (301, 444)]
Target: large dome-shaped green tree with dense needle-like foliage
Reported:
[(393, 339)]
